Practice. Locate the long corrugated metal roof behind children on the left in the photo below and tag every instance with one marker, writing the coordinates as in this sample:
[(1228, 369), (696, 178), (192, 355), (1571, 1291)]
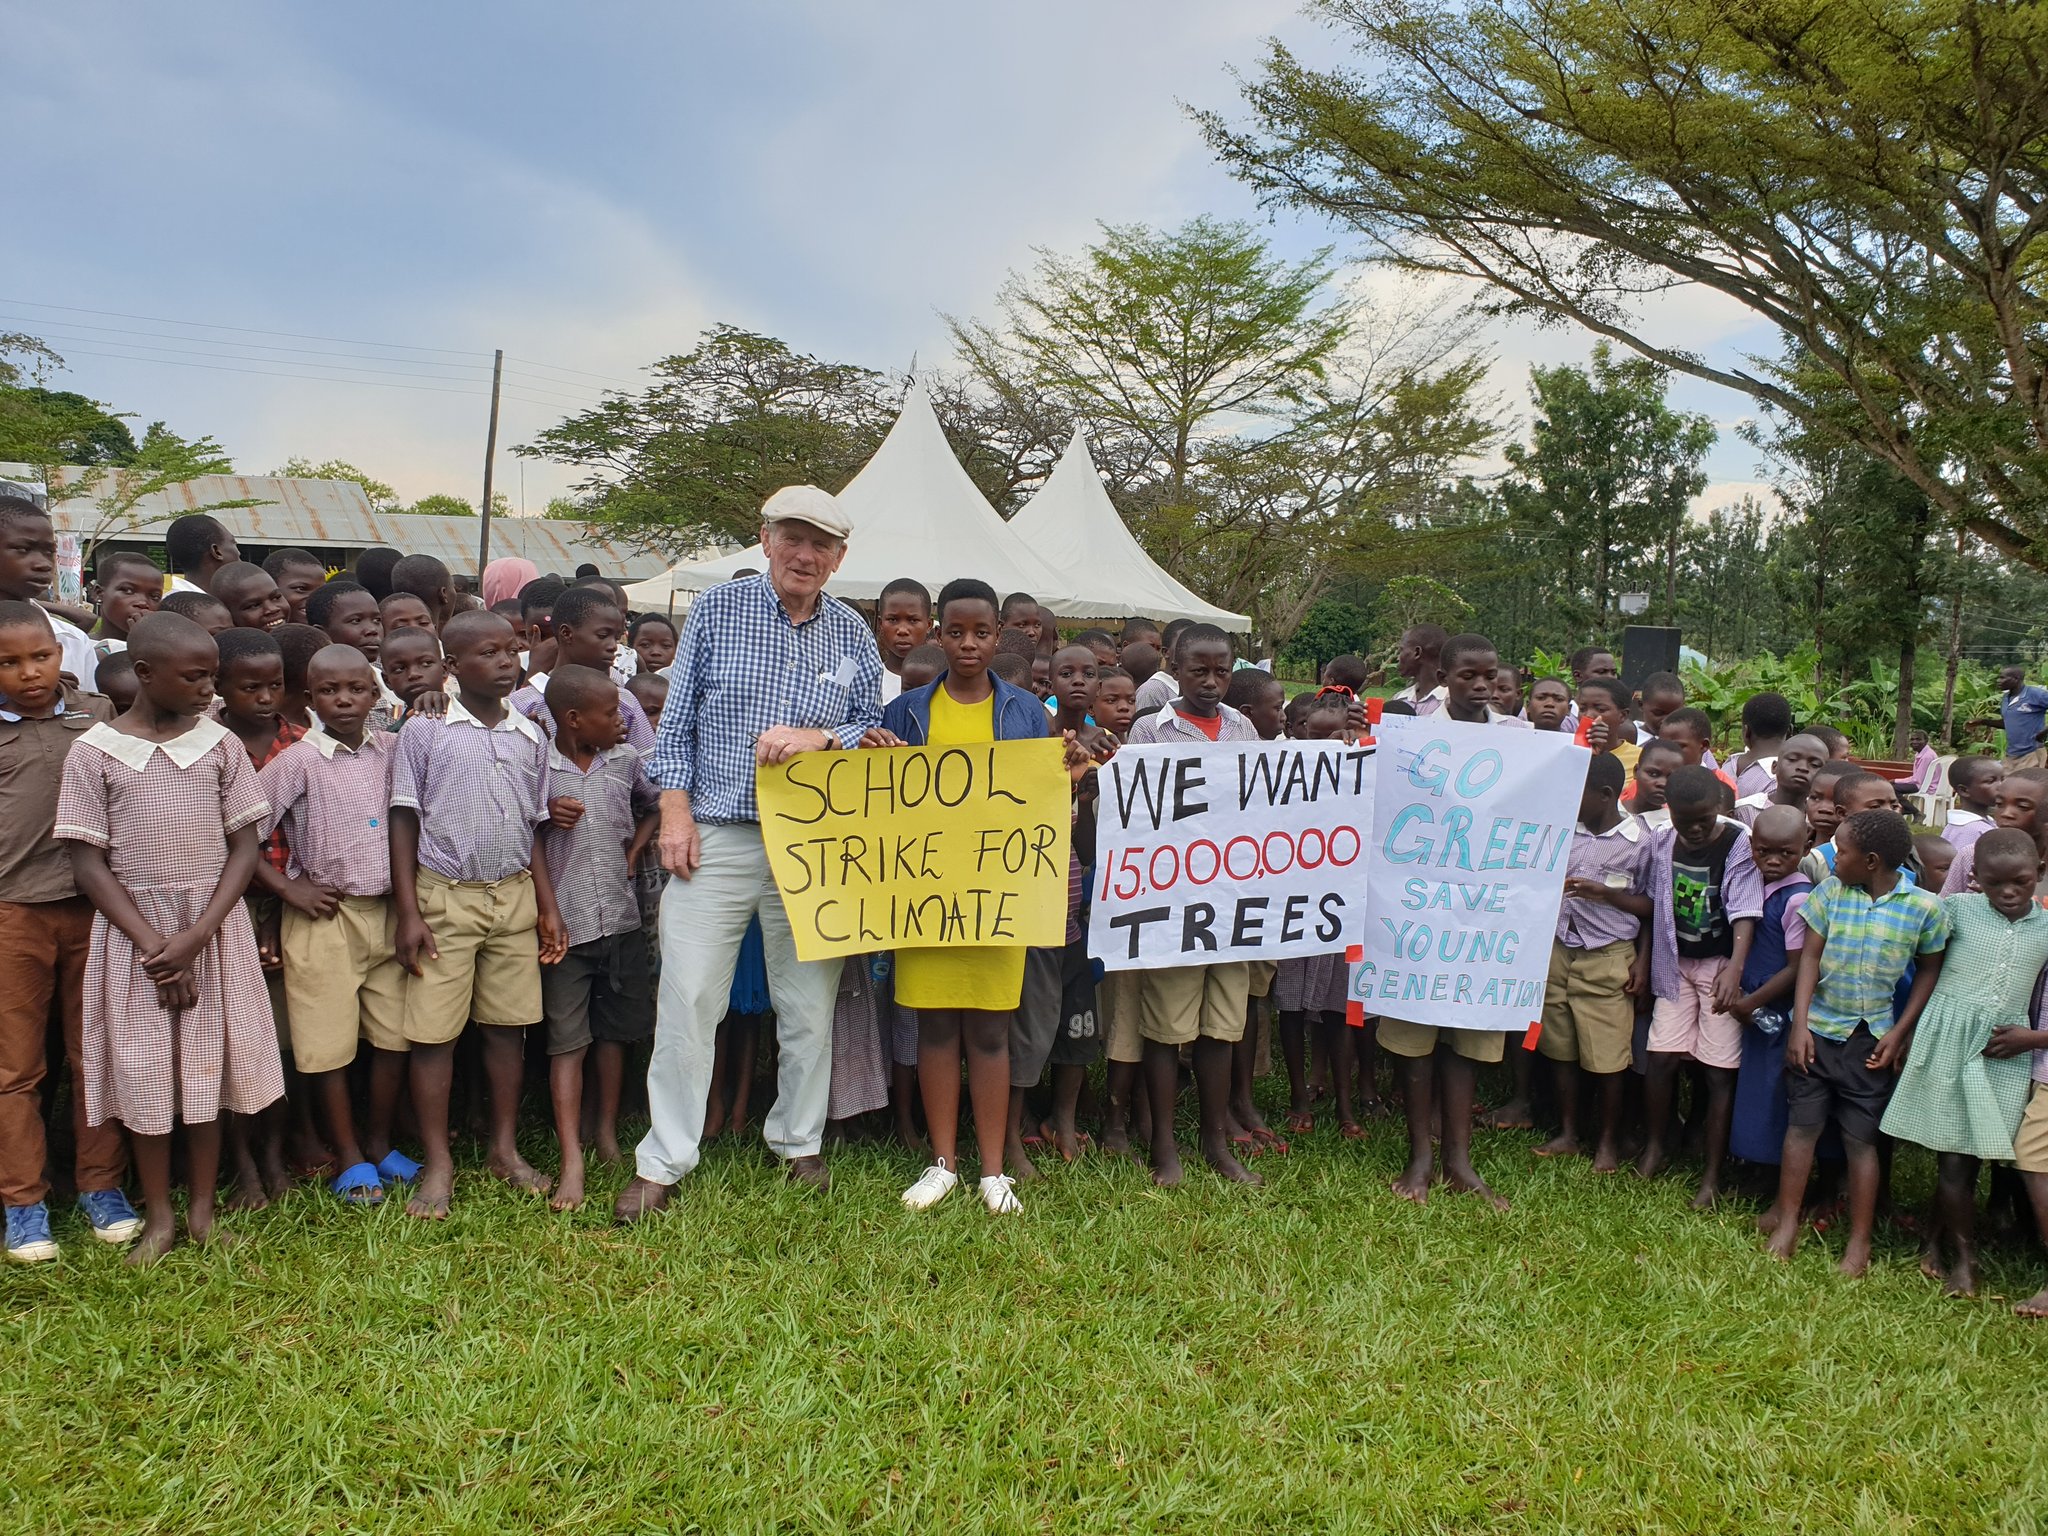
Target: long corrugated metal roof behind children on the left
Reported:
[(337, 515)]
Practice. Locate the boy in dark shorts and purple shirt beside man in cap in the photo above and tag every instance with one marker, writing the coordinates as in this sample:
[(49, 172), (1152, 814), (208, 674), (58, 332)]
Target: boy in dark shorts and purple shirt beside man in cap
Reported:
[(599, 996)]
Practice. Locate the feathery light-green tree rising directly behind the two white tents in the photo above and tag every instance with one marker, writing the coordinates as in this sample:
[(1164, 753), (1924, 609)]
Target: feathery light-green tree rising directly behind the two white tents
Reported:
[(1162, 333)]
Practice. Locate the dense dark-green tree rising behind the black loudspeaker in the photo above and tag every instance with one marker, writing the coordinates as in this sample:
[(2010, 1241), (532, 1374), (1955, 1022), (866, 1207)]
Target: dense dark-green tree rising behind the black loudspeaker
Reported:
[(1607, 480)]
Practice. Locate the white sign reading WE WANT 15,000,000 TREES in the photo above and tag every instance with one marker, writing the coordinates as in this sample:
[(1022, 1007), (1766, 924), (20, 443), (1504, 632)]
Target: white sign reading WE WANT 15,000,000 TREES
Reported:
[(1232, 851)]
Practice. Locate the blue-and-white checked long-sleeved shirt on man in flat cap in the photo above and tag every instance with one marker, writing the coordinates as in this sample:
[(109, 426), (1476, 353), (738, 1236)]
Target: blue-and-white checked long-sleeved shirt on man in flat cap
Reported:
[(740, 669)]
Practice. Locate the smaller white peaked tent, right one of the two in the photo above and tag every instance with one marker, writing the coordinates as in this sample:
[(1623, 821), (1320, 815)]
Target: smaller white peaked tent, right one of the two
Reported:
[(1074, 525)]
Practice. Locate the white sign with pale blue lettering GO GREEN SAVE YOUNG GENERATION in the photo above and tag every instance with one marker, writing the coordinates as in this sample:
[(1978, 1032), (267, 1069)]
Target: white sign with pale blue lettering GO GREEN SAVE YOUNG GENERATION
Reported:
[(1471, 837)]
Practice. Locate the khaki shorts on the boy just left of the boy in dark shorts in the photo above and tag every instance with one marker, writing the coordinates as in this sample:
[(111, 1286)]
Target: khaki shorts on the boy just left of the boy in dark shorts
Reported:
[(490, 957)]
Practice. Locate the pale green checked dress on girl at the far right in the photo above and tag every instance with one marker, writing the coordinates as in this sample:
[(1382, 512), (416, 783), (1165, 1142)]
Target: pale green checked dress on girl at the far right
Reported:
[(1951, 1095)]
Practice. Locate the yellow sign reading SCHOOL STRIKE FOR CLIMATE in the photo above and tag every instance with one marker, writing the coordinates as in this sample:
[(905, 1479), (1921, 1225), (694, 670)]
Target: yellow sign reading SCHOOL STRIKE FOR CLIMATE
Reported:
[(921, 847)]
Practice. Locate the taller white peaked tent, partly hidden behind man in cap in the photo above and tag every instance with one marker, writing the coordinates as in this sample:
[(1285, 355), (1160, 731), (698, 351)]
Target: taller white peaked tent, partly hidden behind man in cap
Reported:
[(914, 513)]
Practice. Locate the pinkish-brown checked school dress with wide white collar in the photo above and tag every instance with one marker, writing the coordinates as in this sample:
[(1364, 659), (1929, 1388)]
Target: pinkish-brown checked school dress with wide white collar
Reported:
[(163, 812)]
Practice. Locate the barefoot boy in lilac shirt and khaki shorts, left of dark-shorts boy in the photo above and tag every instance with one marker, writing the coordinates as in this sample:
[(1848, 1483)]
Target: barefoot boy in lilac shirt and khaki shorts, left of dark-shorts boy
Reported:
[(476, 908)]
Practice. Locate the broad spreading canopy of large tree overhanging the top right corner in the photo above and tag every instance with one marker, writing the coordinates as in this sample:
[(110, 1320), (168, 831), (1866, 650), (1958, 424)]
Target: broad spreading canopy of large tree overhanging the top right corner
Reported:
[(1873, 179)]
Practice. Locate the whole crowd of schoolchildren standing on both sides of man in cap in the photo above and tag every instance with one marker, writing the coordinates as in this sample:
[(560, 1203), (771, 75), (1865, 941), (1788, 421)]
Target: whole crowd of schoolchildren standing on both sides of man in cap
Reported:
[(292, 865)]
